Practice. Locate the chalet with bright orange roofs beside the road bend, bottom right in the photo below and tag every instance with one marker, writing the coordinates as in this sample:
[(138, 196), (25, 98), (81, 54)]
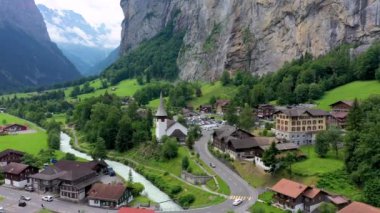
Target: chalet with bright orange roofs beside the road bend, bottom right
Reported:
[(293, 196)]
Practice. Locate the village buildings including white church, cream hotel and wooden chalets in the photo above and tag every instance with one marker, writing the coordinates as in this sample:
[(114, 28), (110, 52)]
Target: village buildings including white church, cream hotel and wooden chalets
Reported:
[(95, 182)]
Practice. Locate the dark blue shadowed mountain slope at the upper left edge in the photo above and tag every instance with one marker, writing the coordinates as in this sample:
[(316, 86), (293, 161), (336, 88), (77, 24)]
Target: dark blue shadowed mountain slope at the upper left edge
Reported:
[(28, 57)]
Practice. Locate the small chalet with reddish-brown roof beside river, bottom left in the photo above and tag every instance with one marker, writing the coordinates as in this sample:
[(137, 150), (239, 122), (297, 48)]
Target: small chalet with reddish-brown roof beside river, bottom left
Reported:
[(109, 195)]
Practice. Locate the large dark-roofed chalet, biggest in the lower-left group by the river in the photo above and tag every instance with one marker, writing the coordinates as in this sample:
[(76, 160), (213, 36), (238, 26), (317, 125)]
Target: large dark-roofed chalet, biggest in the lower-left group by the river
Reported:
[(70, 180)]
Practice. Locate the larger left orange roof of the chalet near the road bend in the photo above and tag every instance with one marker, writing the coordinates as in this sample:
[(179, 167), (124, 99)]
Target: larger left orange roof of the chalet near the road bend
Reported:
[(289, 188)]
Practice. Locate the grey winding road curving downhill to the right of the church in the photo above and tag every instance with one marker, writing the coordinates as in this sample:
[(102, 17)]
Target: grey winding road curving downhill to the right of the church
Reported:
[(239, 187)]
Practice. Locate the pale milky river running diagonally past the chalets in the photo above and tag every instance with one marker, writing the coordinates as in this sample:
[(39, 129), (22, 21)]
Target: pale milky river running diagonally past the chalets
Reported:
[(151, 191)]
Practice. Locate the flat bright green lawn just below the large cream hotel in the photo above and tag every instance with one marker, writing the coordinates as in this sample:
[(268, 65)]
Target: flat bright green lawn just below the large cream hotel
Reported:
[(314, 165)]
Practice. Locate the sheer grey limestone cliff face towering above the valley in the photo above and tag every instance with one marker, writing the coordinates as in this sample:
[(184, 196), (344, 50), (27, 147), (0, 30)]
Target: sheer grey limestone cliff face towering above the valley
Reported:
[(255, 35)]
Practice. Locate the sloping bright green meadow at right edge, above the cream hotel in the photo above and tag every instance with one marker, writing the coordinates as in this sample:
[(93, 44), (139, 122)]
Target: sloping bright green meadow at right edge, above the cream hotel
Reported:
[(356, 89)]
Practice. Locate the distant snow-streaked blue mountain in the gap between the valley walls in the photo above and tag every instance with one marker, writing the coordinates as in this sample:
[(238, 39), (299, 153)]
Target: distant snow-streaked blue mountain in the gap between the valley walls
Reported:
[(81, 42)]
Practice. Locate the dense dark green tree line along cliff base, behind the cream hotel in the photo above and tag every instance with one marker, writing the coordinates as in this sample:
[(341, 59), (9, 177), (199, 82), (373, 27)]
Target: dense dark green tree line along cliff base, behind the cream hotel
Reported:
[(307, 78)]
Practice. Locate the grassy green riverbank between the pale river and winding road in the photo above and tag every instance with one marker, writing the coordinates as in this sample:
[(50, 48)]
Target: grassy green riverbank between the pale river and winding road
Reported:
[(166, 175)]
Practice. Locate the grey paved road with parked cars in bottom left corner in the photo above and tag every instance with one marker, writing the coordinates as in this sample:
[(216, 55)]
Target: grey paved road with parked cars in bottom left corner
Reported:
[(11, 198)]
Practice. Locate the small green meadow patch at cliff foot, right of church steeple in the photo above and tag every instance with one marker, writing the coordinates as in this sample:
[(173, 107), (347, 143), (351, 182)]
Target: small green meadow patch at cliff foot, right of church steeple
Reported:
[(214, 89)]
